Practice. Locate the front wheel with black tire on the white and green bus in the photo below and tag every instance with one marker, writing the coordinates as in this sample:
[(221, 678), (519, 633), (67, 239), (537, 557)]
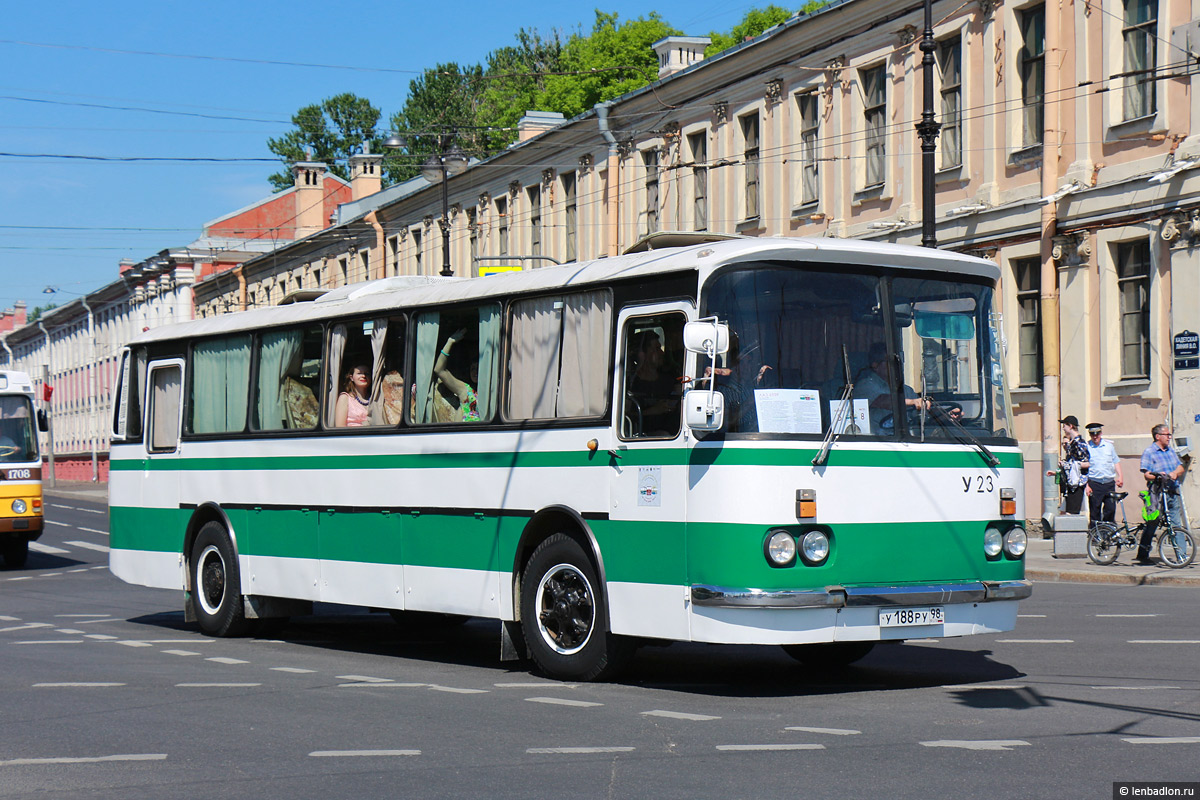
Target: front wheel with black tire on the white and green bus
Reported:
[(563, 615)]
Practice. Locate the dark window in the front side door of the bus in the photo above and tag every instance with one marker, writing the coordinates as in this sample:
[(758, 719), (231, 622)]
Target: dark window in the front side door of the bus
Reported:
[(653, 387)]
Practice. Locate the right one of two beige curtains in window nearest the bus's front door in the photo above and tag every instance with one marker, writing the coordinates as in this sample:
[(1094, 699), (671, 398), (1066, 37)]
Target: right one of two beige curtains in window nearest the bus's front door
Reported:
[(587, 322)]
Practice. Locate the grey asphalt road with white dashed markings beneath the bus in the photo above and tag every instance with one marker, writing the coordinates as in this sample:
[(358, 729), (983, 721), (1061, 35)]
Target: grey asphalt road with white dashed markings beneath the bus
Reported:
[(106, 693)]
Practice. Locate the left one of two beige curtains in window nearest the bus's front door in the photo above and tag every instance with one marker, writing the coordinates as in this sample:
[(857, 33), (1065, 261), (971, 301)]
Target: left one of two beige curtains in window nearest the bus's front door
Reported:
[(537, 340)]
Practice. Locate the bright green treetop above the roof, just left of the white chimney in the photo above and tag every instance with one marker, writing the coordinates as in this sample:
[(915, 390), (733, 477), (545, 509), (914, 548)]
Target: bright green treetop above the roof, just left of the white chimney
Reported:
[(615, 59)]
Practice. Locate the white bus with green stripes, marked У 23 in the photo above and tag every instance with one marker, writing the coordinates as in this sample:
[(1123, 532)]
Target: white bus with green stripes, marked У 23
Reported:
[(794, 442)]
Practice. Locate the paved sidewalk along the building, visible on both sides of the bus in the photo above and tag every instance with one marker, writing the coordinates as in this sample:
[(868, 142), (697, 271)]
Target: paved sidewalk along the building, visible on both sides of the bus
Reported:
[(1040, 561)]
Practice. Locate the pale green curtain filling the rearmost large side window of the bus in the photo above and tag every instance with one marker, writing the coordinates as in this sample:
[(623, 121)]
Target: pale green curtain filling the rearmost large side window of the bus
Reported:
[(220, 386)]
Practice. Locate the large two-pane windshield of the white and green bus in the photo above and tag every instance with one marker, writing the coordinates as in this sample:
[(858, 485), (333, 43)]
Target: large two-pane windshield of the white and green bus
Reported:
[(871, 354)]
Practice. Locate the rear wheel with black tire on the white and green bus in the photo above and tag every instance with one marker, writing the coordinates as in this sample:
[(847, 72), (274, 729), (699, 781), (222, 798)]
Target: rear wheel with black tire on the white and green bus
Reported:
[(217, 585)]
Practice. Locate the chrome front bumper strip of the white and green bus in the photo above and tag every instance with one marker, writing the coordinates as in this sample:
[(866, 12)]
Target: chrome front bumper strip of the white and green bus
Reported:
[(976, 592)]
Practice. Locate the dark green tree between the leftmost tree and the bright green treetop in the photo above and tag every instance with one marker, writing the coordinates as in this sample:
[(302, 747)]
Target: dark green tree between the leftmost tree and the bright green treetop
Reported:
[(442, 101)]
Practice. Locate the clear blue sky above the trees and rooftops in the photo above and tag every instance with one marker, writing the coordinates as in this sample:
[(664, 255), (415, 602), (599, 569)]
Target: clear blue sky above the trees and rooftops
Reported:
[(69, 91)]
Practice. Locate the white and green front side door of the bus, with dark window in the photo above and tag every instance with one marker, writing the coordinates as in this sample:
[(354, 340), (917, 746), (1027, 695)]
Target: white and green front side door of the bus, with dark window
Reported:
[(649, 490)]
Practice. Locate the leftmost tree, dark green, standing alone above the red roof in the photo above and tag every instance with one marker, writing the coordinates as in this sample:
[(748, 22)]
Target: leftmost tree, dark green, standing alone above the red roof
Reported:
[(333, 130)]
